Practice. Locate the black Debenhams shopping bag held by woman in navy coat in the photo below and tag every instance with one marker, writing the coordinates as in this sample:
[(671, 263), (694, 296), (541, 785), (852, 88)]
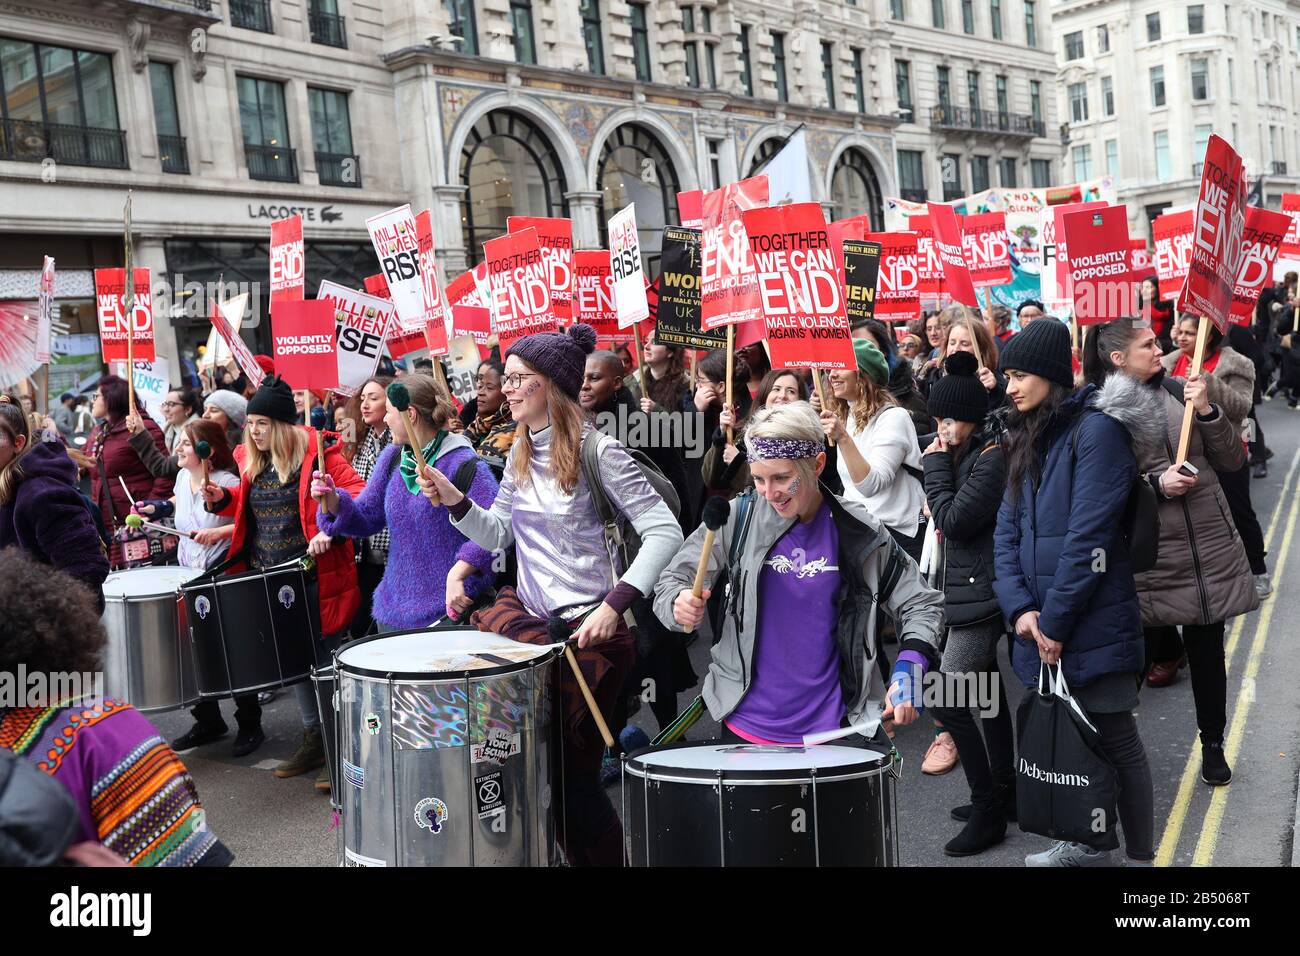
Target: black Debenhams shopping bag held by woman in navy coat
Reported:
[(1065, 788)]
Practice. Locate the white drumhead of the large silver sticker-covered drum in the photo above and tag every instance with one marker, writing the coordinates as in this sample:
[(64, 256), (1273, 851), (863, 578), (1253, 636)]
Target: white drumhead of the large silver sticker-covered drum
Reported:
[(431, 655)]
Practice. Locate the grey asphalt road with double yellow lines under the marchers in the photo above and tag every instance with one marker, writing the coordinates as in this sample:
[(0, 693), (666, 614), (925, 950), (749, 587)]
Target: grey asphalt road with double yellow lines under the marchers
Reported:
[(267, 821)]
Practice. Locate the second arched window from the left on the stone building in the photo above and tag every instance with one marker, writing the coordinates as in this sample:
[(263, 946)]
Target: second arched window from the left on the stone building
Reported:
[(635, 168)]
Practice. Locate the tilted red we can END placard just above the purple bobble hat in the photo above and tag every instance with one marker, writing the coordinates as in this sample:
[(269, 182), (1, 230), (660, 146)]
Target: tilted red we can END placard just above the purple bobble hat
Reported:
[(519, 288)]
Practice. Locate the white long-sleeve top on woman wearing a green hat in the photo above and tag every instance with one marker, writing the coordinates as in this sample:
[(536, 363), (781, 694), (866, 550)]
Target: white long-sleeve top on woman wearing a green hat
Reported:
[(890, 494)]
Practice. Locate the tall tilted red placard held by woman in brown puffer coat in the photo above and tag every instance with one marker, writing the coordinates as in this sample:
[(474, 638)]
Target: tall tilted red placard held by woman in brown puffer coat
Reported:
[(1219, 224)]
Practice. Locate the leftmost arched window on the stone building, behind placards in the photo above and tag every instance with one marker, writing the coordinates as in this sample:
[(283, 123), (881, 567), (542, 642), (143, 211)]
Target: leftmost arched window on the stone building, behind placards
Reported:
[(510, 170)]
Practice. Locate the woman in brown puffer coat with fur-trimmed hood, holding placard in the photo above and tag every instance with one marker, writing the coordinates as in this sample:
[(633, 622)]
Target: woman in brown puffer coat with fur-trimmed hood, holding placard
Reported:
[(1202, 576)]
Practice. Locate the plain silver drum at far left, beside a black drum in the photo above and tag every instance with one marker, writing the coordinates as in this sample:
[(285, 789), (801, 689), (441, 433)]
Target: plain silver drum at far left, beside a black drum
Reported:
[(148, 661)]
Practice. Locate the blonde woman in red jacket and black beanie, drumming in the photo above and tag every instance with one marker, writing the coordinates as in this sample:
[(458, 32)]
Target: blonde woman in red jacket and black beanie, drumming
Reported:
[(276, 522)]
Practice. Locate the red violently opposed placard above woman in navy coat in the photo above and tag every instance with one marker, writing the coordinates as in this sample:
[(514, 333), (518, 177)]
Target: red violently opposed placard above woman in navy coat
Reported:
[(1100, 278)]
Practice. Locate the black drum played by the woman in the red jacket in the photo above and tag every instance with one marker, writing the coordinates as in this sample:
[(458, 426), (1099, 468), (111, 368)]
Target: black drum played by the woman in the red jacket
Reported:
[(255, 630)]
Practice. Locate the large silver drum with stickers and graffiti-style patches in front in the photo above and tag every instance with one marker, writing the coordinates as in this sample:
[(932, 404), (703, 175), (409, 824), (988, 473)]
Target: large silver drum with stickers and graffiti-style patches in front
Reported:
[(449, 746)]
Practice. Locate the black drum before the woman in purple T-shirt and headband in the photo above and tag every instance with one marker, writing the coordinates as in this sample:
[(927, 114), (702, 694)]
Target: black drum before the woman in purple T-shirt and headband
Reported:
[(755, 806)]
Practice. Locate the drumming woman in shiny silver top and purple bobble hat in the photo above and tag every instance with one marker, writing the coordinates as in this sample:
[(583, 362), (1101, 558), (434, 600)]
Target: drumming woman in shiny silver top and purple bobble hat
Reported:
[(567, 568)]
